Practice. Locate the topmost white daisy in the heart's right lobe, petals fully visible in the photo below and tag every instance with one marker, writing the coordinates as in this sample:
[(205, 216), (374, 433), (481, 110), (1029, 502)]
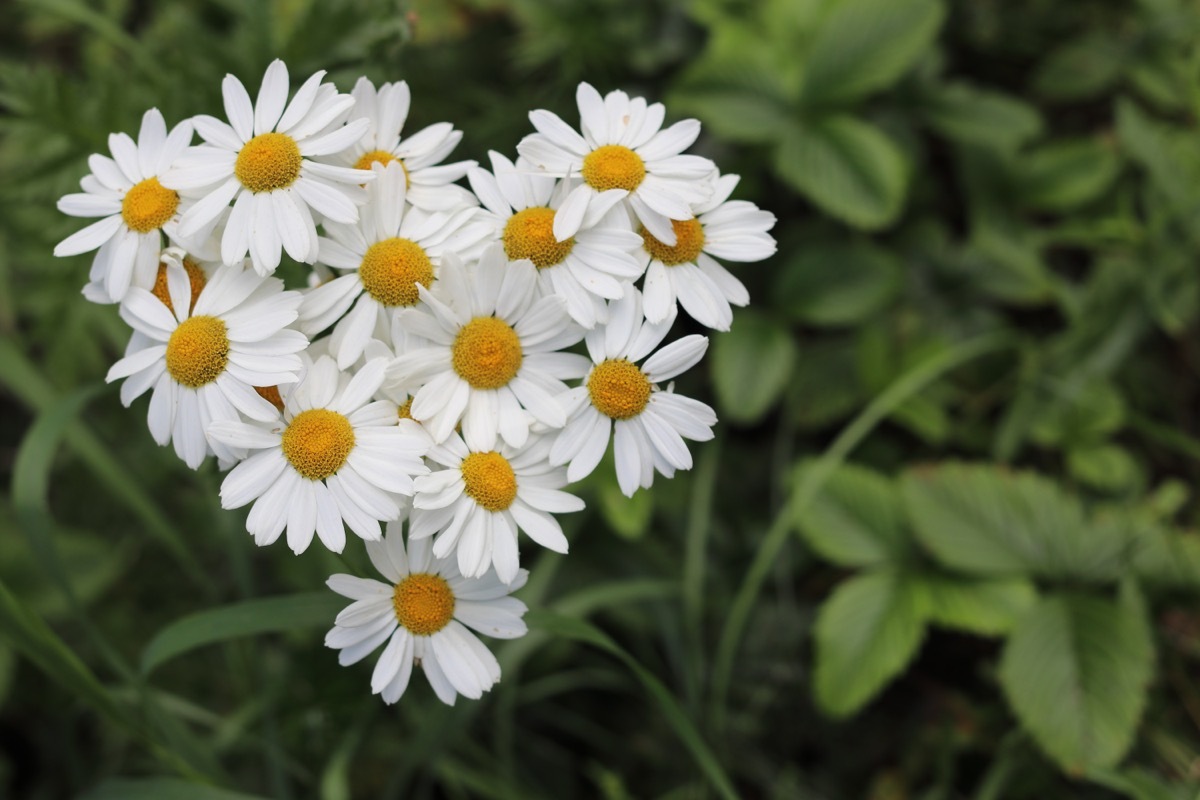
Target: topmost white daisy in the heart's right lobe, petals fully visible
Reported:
[(622, 148)]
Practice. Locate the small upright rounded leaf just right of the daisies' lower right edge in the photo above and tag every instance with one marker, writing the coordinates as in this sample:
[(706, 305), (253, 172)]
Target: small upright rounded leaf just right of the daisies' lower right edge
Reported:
[(752, 366)]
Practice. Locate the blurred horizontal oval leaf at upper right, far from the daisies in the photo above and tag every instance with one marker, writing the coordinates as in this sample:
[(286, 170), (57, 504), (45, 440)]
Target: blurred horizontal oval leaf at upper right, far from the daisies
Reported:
[(973, 116)]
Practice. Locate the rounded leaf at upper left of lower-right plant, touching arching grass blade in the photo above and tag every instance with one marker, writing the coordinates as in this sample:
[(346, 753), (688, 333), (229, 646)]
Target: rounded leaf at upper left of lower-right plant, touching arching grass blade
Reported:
[(857, 520)]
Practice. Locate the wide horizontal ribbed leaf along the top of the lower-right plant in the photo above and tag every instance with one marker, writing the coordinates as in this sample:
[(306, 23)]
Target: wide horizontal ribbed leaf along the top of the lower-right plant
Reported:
[(991, 521)]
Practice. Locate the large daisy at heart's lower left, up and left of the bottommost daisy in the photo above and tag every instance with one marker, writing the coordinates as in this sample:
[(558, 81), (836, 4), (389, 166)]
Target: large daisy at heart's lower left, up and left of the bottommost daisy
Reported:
[(333, 456)]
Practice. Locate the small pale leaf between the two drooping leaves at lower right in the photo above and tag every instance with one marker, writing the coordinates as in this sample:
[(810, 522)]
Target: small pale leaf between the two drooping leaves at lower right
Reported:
[(983, 607)]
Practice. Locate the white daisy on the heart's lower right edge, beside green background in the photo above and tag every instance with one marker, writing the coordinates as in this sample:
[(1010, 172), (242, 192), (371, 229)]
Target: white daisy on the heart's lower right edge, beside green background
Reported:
[(617, 395)]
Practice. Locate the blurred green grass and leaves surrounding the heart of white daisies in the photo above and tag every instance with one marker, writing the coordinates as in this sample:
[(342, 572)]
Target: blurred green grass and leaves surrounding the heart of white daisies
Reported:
[(941, 549)]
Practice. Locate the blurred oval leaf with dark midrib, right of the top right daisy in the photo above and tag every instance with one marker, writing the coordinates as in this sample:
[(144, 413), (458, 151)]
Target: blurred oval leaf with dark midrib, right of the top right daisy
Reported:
[(849, 169)]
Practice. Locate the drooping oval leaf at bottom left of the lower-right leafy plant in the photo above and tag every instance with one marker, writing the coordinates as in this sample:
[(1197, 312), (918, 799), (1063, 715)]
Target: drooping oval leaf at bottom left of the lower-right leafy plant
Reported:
[(867, 633)]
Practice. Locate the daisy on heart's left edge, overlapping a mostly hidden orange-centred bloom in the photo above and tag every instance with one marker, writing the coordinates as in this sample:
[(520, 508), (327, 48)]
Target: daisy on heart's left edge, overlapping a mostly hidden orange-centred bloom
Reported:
[(203, 352)]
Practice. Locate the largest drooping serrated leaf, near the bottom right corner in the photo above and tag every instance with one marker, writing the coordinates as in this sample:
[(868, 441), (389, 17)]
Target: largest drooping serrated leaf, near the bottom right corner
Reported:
[(1076, 672)]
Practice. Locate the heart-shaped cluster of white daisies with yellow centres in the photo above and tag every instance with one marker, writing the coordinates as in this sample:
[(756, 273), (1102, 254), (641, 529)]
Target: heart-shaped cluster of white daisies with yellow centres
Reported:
[(428, 389)]
